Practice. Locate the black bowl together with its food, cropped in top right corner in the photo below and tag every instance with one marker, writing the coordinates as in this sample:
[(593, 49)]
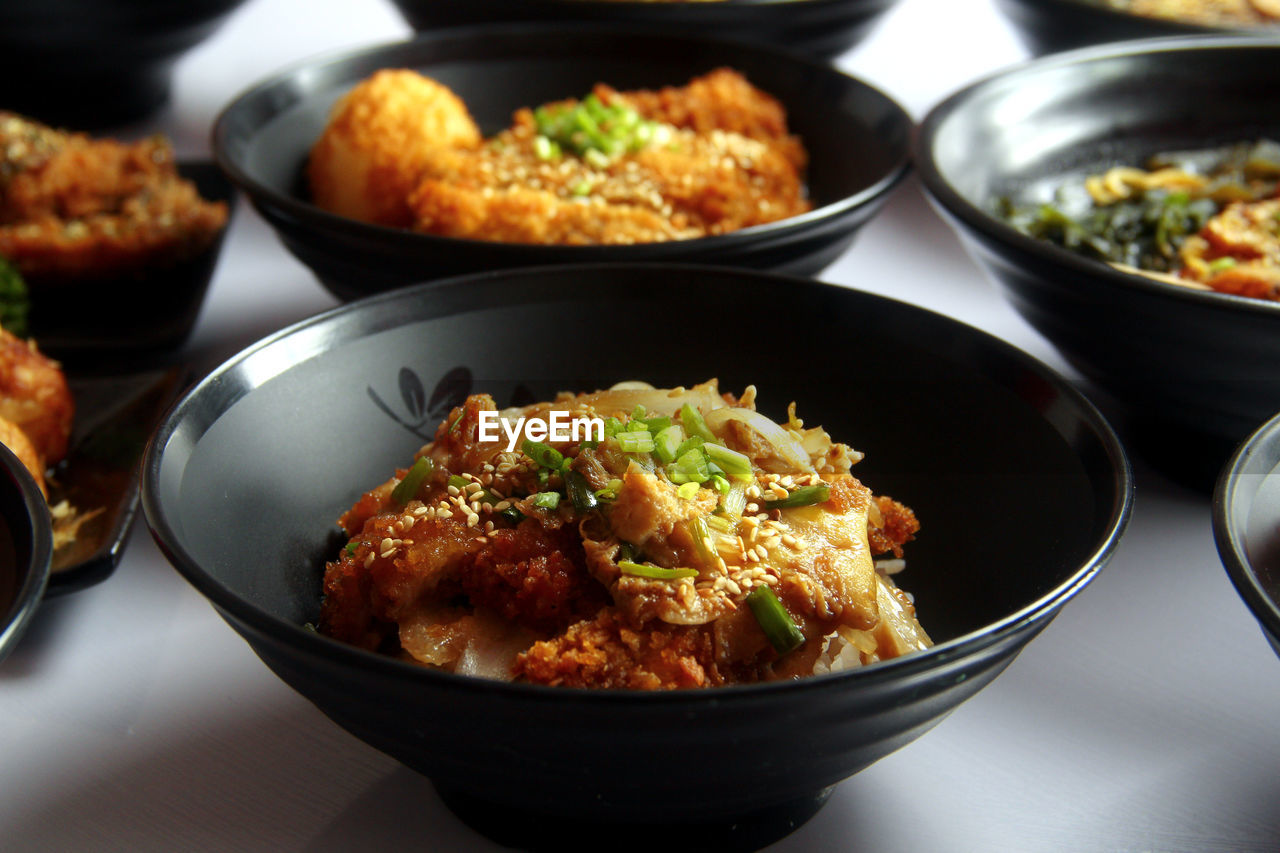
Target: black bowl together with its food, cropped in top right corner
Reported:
[(1050, 26)]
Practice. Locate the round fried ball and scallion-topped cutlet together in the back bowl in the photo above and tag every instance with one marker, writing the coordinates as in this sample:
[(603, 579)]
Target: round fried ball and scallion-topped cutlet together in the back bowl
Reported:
[(708, 158)]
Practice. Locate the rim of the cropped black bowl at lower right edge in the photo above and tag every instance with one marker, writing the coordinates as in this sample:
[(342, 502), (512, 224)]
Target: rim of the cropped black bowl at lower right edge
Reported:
[(1229, 528)]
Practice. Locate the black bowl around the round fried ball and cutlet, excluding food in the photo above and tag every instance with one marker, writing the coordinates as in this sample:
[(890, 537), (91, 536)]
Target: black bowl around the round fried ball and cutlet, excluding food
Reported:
[(857, 138)]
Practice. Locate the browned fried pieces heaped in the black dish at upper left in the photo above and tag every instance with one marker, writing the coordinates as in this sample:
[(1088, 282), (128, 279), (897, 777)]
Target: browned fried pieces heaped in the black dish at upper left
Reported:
[(75, 208)]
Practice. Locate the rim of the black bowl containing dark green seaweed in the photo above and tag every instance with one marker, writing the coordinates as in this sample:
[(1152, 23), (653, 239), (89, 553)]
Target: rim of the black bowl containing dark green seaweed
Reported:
[(994, 230)]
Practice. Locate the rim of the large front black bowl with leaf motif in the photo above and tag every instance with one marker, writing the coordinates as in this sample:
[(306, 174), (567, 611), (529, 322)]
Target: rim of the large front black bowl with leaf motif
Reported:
[(236, 609)]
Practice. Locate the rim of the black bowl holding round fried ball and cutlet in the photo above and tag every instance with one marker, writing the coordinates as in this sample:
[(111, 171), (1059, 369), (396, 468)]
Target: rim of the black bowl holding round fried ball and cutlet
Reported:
[(310, 216)]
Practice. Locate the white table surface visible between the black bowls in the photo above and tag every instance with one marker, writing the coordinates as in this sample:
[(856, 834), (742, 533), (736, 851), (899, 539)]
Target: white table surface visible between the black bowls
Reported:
[(1146, 718)]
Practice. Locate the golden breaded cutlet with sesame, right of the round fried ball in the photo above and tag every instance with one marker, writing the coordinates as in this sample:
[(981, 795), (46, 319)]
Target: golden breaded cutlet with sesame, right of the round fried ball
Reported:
[(721, 161)]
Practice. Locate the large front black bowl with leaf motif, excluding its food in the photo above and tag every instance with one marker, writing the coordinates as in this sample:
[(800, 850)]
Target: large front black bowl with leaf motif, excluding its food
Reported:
[(244, 480)]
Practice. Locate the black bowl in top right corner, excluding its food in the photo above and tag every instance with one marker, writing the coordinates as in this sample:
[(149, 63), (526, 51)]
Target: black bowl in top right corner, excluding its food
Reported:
[(1049, 26)]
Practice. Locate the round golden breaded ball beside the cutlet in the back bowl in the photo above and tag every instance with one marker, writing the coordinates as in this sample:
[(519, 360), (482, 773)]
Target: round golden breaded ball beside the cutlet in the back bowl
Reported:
[(381, 138)]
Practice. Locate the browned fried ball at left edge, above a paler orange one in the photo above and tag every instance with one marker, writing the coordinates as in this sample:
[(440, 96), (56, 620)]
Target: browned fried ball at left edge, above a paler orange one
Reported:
[(35, 398)]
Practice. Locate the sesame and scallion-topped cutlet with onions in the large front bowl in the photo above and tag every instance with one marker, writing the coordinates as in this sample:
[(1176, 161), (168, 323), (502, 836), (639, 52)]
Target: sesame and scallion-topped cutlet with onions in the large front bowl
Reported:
[(624, 563)]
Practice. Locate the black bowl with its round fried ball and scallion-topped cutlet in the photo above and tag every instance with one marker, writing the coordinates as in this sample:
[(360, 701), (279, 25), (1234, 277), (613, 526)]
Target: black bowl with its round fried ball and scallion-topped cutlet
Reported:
[(856, 138)]
